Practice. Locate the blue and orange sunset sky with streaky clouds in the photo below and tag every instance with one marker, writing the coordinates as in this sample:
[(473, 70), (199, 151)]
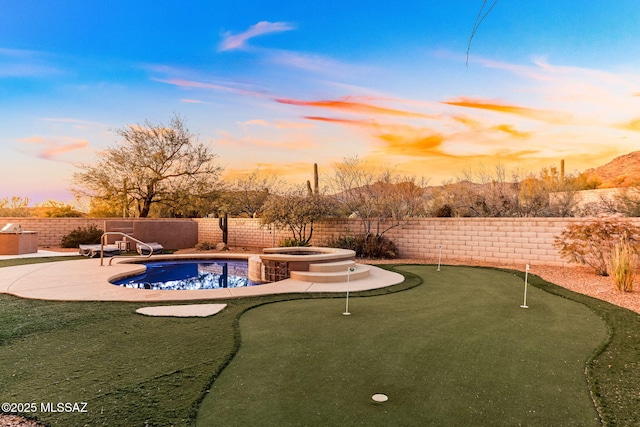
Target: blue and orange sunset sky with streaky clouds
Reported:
[(279, 85)]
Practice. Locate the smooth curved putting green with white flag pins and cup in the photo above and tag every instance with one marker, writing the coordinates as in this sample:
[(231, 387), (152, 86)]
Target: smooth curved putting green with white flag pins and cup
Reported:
[(457, 350)]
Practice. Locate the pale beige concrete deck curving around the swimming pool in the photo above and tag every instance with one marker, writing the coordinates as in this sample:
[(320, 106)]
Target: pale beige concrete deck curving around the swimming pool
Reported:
[(86, 280)]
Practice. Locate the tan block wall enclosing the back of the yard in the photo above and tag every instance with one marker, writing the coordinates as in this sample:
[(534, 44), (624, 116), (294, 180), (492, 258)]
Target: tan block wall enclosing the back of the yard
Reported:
[(490, 240)]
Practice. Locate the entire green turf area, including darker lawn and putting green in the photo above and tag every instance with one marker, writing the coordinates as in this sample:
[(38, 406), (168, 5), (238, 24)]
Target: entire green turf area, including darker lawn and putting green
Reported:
[(449, 348)]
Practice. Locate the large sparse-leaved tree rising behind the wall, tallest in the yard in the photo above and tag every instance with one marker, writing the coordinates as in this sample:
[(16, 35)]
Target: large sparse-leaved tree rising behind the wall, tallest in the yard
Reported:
[(152, 164)]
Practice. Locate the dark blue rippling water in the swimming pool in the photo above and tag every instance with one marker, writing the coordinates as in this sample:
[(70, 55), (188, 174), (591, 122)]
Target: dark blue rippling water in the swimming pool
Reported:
[(190, 275)]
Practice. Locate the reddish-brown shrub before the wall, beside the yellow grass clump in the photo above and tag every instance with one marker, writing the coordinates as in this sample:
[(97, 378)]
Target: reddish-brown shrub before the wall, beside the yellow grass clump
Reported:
[(591, 243)]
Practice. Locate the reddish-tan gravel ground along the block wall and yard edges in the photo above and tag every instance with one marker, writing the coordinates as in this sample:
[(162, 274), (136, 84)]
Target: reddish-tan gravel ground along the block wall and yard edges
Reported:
[(578, 279)]
